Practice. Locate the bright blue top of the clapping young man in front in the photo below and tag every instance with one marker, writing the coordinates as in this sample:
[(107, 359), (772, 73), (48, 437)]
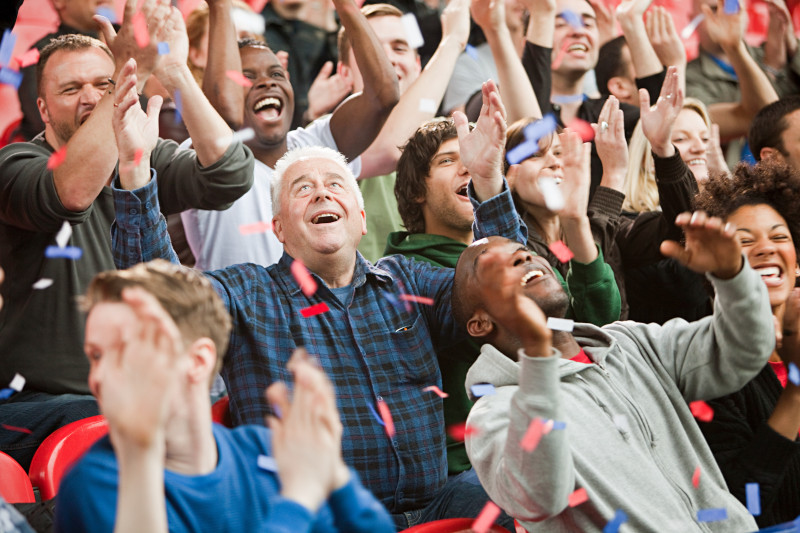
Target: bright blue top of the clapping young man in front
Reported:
[(237, 496)]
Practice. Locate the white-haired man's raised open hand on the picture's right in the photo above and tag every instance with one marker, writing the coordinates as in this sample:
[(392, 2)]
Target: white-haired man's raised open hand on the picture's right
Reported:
[(482, 148)]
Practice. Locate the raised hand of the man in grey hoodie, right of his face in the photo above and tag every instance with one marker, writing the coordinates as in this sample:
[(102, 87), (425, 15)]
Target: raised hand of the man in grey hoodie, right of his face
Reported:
[(711, 245)]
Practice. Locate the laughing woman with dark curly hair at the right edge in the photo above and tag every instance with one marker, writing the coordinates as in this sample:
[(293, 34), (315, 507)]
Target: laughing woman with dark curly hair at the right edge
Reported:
[(754, 432)]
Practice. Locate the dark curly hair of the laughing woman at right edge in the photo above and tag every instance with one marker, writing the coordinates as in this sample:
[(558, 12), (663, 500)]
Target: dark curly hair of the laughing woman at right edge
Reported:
[(770, 182)]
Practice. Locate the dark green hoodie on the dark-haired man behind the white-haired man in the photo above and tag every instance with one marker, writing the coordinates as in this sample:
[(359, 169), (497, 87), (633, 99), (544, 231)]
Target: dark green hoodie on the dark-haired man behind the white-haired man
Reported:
[(594, 298)]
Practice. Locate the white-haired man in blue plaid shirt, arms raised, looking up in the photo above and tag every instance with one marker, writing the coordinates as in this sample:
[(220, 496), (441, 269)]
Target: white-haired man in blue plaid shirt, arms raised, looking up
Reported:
[(374, 327)]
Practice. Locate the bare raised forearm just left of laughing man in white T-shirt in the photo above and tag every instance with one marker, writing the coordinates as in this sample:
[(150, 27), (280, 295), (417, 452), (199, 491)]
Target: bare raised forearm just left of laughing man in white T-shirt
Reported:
[(224, 94)]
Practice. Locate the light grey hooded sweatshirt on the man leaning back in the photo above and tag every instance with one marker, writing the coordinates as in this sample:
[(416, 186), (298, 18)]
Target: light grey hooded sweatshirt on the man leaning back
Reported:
[(630, 439)]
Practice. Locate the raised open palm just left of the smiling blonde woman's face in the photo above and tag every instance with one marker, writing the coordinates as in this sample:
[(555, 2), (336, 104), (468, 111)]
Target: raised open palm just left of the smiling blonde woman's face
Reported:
[(657, 122)]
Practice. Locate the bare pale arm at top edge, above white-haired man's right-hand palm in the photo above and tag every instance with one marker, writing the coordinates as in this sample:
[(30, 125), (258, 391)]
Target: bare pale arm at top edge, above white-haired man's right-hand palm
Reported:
[(515, 88)]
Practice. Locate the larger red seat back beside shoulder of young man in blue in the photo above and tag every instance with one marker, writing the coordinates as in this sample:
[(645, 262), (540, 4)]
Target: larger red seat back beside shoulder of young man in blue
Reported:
[(62, 448)]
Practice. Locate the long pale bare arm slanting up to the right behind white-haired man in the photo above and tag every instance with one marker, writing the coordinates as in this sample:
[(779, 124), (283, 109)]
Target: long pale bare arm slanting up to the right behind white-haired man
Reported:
[(382, 155)]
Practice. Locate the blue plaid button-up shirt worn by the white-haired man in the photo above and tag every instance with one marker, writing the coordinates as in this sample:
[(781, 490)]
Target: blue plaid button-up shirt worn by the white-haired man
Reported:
[(372, 346)]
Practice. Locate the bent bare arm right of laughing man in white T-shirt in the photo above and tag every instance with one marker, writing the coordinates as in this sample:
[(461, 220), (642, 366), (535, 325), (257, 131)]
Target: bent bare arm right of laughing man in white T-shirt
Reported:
[(356, 123)]
